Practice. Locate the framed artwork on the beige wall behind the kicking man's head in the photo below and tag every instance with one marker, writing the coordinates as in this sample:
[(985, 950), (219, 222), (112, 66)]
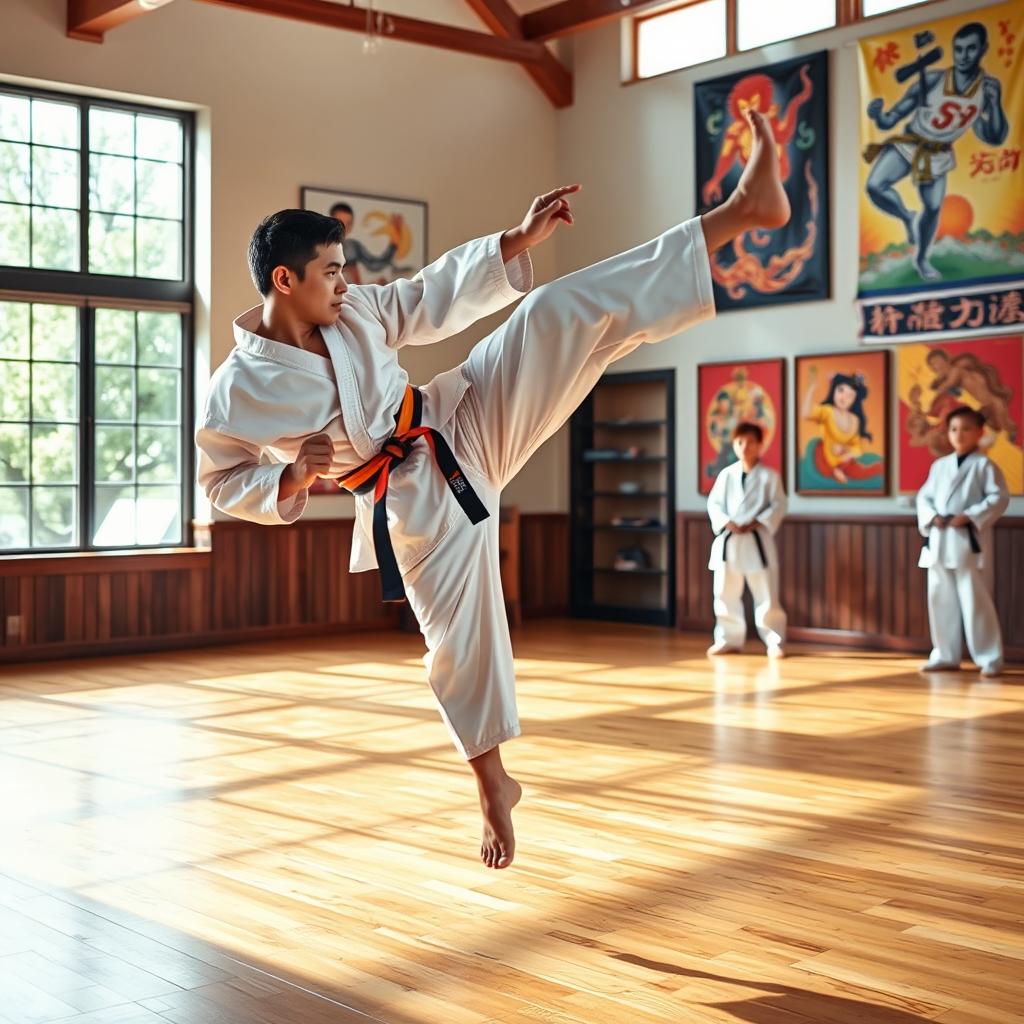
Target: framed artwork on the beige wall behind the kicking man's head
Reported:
[(386, 239)]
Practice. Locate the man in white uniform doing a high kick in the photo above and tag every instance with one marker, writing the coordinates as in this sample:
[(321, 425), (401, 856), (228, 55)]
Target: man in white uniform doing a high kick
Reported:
[(314, 389)]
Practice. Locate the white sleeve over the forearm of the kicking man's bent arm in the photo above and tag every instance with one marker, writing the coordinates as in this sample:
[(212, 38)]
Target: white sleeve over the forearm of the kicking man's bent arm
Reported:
[(237, 483)]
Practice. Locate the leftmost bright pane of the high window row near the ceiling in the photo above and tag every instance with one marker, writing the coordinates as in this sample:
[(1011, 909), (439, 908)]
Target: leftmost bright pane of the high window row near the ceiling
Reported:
[(680, 38)]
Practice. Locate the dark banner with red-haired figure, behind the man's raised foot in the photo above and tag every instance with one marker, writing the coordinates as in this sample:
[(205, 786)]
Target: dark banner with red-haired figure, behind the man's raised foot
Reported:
[(790, 265)]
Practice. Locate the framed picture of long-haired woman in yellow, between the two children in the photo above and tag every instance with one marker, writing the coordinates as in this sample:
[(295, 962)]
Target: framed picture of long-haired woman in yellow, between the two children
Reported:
[(843, 423)]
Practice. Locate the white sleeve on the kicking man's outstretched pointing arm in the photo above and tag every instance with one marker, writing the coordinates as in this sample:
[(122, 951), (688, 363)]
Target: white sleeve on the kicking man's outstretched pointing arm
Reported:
[(465, 285)]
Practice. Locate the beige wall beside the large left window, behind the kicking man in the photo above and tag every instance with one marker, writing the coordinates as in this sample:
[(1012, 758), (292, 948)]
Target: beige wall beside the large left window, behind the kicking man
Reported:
[(285, 105)]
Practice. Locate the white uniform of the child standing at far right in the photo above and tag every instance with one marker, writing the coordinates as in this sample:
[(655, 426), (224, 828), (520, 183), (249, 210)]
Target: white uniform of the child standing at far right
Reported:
[(960, 560)]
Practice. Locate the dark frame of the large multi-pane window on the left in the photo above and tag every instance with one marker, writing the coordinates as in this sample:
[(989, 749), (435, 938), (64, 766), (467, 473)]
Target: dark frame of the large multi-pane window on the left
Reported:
[(89, 291)]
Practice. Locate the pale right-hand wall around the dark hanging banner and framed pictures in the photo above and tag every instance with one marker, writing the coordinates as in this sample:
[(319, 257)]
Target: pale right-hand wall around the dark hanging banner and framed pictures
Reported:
[(633, 150)]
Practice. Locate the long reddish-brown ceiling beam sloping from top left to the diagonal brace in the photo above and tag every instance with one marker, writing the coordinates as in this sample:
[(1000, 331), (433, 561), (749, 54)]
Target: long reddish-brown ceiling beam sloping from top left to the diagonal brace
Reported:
[(408, 30)]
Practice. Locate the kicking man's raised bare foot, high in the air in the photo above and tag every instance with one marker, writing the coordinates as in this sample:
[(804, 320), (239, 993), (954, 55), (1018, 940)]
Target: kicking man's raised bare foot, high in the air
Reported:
[(759, 200)]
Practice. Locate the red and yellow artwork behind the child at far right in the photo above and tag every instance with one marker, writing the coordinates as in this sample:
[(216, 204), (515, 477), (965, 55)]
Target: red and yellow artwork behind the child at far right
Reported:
[(935, 378)]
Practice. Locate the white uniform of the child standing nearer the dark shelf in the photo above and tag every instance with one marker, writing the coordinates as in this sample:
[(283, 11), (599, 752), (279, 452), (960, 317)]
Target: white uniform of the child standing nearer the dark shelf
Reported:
[(747, 559)]
